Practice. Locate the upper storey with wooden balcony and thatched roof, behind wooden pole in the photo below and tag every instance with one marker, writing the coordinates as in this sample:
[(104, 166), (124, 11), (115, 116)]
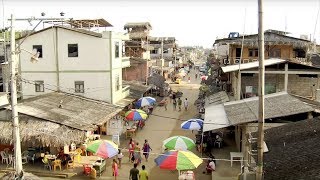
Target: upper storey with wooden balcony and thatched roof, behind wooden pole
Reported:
[(277, 45)]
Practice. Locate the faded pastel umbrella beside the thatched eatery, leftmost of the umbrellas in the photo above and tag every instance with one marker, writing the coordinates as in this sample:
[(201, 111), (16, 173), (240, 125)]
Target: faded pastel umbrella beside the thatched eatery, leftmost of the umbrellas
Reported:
[(103, 148)]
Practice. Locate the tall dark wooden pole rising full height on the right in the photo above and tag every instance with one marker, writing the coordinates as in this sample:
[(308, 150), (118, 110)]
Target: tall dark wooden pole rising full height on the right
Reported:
[(259, 173)]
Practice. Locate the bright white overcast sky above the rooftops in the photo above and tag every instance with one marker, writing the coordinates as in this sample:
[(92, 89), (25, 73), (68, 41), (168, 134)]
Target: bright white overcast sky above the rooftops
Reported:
[(193, 22)]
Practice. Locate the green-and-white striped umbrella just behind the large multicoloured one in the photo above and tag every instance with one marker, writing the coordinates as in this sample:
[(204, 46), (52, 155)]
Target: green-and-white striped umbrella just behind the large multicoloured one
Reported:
[(179, 143)]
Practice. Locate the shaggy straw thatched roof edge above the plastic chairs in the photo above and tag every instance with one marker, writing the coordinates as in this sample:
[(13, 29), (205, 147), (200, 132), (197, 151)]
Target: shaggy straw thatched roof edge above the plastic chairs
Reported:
[(34, 131)]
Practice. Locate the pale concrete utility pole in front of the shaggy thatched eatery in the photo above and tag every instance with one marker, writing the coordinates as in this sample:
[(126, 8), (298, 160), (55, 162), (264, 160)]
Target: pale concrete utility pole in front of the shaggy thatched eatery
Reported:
[(13, 88)]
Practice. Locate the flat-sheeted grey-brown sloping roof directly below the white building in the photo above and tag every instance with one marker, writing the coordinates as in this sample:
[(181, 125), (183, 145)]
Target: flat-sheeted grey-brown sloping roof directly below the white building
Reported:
[(75, 111)]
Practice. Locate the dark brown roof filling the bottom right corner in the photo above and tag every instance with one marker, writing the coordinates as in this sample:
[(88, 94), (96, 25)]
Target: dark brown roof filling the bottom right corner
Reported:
[(294, 151)]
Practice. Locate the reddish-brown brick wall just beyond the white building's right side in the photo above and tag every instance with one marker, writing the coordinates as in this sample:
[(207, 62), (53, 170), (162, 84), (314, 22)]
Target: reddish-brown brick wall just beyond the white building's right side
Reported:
[(137, 72)]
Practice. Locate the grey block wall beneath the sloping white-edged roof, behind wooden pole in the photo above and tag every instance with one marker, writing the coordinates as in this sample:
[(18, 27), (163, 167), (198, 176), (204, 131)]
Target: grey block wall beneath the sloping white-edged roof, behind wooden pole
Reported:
[(302, 86)]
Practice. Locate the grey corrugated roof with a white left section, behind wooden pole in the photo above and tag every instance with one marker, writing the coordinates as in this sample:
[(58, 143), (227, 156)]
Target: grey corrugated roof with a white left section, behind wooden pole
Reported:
[(246, 110)]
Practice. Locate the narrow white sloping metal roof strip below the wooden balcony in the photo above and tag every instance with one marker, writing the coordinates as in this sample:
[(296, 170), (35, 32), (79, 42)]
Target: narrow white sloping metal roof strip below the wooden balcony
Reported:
[(243, 66)]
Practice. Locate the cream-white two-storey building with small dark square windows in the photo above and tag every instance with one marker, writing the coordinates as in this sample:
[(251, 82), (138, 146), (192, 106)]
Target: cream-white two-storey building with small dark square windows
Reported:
[(75, 61)]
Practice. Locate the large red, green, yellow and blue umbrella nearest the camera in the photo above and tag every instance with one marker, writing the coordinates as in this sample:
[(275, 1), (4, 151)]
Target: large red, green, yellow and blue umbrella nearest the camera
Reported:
[(178, 160)]
